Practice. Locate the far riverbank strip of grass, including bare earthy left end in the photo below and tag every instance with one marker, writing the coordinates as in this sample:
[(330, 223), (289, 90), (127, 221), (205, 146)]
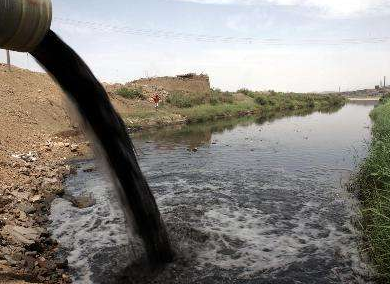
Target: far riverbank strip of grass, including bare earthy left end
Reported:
[(194, 107)]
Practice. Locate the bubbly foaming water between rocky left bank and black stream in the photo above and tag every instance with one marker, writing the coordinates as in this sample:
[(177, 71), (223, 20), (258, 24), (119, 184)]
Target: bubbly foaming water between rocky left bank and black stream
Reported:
[(95, 238)]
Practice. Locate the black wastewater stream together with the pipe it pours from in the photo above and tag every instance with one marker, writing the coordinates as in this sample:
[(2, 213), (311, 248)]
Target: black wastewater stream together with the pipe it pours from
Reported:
[(25, 27)]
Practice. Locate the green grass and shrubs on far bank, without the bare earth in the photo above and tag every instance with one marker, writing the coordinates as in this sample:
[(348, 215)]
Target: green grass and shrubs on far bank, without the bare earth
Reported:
[(217, 104)]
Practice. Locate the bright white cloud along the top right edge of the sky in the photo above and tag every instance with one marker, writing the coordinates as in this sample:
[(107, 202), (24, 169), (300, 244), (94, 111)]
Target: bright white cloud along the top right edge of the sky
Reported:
[(336, 8)]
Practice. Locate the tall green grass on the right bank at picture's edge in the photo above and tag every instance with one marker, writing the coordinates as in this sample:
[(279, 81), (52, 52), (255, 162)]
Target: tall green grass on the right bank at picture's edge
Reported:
[(373, 186)]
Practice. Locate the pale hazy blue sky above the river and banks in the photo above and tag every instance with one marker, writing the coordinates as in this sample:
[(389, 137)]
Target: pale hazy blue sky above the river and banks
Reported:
[(283, 45)]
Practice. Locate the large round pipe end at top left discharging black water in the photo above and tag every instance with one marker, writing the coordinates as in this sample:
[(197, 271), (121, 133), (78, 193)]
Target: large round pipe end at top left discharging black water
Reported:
[(24, 23)]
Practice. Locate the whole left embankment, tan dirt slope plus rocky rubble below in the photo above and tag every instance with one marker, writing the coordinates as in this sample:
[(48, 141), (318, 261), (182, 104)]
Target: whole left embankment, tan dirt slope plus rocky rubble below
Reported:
[(36, 138)]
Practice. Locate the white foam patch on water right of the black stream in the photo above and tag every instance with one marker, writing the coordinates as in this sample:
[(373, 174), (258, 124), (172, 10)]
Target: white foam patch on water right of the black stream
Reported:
[(254, 242)]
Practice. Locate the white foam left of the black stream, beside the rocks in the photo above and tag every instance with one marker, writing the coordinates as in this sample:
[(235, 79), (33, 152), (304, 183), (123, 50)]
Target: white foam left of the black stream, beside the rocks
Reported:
[(85, 232)]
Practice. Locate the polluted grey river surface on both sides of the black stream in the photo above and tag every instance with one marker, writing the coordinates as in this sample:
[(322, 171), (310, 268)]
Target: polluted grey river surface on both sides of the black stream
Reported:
[(249, 200)]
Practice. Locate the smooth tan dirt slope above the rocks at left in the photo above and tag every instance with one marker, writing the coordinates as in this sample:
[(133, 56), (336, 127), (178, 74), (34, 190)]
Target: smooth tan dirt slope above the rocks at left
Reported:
[(32, 109)]
